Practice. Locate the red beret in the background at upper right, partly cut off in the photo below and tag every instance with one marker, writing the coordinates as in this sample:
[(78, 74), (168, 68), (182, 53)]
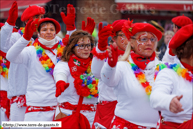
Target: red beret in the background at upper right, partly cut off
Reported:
[(181, 20)]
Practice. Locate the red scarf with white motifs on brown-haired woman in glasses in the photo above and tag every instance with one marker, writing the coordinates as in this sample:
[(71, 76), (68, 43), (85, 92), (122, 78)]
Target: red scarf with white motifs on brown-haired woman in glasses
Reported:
[(77, 67)]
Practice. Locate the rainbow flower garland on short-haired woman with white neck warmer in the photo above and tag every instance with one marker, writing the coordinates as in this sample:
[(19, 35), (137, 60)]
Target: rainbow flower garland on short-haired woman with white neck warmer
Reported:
[(45, 59)]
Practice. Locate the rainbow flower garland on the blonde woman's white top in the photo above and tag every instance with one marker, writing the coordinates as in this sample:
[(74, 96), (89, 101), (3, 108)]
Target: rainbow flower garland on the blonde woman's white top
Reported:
[(141, 78)]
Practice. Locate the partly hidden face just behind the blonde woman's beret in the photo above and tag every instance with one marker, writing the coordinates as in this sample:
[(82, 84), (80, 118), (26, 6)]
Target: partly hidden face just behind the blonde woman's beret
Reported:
[(121, 40)]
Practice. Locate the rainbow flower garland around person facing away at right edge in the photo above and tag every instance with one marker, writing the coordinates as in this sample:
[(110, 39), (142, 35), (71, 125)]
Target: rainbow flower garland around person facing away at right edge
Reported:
[(183, 72)]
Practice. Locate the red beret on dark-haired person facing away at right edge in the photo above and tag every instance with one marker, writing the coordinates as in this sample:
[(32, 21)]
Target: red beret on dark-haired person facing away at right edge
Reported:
[(181, 36)]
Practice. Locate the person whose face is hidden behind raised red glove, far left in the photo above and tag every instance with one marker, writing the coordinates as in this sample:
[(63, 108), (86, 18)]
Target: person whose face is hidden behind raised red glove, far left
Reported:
[(18, 78)]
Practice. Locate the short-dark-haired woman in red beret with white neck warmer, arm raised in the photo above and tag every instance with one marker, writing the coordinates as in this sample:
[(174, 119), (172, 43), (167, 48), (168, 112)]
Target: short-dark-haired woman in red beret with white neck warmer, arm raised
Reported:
[(40, 60)]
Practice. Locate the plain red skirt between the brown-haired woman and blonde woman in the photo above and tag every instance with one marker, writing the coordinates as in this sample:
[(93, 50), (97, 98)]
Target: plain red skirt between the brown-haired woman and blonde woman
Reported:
[(104, 114)]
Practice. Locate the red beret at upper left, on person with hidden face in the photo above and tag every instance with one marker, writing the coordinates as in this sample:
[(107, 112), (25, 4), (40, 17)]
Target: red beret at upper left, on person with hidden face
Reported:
[(32, 11)]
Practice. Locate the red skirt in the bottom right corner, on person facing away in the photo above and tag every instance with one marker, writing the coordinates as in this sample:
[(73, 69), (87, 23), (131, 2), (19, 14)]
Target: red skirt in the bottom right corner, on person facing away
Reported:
[(171, 125)]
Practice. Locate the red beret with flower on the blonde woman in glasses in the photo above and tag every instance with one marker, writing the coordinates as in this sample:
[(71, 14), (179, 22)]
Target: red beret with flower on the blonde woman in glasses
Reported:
[(131, 29)]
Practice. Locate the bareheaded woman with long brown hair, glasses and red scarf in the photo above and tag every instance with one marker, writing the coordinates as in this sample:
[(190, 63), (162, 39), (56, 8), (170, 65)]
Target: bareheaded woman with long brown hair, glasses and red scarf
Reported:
[(74, 79)]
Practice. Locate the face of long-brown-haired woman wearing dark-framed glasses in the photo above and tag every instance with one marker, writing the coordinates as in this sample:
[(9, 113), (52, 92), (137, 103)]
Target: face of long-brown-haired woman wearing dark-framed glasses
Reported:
[(83, 48)]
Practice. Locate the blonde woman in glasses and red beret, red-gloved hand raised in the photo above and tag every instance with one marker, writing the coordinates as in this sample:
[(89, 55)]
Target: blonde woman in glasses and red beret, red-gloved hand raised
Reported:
[(132, 77)]
